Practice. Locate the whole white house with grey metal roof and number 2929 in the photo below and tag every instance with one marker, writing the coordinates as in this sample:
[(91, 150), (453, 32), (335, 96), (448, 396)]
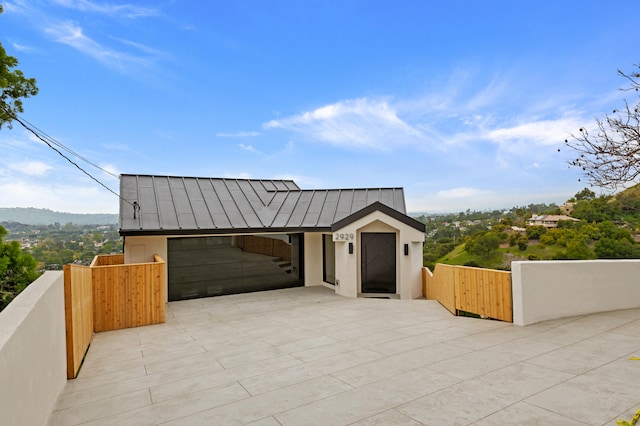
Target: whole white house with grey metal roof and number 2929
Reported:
[(223, 236)]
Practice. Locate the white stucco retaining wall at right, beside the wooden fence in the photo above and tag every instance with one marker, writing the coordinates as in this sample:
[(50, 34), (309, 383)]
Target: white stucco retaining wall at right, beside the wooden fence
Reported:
[(544, 290)]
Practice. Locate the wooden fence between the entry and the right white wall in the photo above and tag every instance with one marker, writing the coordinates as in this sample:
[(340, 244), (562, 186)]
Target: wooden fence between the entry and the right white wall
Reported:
[(485, 292)]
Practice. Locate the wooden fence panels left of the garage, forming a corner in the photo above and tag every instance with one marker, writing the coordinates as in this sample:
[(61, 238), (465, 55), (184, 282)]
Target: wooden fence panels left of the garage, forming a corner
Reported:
[(110, 295)]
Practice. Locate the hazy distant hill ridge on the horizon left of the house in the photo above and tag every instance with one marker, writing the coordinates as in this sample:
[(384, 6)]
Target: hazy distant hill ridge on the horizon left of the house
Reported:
[(33, 216)]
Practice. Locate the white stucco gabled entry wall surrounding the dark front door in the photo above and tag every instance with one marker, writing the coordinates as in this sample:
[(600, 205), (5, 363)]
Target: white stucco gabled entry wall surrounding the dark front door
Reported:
[(408, 268)]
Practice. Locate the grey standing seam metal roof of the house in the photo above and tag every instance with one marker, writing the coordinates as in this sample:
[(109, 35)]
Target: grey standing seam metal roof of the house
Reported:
[(194, 205)]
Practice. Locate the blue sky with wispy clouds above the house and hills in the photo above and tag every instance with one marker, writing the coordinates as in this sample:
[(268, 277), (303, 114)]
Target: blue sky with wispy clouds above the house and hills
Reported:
[(462, 103)]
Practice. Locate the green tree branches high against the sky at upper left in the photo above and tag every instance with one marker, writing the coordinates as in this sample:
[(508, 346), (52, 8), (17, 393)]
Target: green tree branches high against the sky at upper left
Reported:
[(14, 86)]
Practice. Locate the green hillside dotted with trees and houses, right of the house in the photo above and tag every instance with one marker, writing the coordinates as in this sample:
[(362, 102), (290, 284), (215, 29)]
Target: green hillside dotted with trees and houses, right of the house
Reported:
[(607, 227)]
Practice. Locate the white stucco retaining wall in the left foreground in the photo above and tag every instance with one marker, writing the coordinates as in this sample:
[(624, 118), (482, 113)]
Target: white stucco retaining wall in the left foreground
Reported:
[(33, 362)]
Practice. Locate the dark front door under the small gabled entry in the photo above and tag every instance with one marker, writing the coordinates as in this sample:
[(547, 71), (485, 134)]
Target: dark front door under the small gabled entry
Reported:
[(378, 262)]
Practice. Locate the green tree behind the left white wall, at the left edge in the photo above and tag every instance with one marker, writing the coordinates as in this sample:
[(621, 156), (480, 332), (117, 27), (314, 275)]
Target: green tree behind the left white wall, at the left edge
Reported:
[(17, 270)]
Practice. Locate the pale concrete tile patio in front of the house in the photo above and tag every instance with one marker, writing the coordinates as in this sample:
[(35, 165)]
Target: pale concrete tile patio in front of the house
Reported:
[(305, 356)]
